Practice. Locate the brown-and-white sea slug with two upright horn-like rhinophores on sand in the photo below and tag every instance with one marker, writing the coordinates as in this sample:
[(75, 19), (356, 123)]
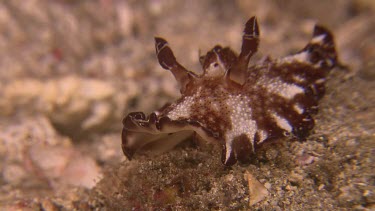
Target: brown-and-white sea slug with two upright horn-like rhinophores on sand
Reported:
[(233, 104)]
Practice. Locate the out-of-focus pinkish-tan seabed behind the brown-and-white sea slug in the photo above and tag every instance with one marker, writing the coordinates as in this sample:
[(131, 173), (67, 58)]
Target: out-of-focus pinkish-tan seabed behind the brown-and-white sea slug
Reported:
[(71, 70)]
